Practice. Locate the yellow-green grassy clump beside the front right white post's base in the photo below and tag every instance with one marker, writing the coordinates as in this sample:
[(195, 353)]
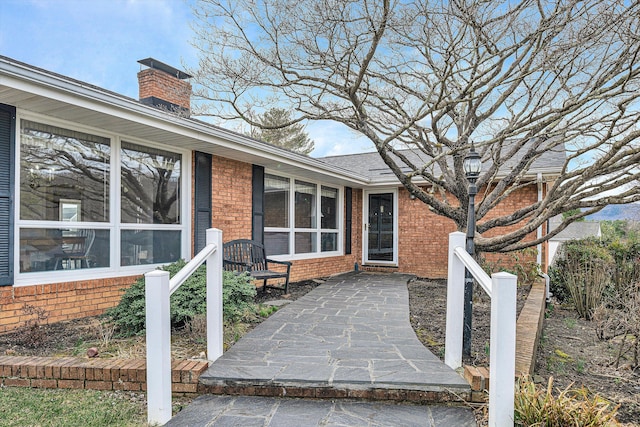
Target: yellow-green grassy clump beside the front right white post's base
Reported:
[(536, 406)]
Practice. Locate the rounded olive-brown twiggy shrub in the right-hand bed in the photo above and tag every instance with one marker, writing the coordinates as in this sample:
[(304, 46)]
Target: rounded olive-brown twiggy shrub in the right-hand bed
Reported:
[(582, 272)]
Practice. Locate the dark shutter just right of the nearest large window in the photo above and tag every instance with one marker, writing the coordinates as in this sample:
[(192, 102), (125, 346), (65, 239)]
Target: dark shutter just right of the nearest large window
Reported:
[(202, 200)]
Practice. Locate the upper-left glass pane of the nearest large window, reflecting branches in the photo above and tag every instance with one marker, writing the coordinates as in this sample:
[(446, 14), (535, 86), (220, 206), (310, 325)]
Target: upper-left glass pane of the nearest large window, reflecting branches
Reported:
[(58, 165)]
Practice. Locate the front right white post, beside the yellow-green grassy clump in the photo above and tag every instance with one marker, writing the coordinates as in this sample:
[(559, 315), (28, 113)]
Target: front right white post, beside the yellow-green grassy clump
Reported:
[(502, 357)]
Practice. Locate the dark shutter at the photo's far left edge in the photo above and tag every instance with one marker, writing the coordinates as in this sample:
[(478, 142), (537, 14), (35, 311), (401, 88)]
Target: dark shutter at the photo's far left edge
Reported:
[(7, 157)]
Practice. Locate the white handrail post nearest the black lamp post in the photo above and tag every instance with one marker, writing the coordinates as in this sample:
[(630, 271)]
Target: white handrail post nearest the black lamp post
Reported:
[(455, 300)]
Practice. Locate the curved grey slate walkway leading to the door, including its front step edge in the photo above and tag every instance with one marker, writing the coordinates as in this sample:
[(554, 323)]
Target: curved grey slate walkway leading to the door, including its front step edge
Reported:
[(348, 338)]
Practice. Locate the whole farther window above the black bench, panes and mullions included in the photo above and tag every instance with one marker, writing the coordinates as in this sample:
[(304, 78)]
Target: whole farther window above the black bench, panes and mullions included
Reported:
[(297, 221)]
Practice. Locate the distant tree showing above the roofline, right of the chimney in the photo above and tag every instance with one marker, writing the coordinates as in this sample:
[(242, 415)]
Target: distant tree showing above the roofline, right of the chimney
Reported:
[(275, 128)]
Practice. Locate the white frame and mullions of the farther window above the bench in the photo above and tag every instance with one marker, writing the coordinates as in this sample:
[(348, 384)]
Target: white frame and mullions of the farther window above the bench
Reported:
[(318, 230)]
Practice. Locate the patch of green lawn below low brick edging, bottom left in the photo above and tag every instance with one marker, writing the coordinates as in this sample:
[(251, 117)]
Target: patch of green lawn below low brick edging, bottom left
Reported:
[(47, 407)]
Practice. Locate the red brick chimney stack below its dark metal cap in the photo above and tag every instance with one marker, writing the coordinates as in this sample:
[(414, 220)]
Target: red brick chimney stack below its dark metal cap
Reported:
[(157, 83)]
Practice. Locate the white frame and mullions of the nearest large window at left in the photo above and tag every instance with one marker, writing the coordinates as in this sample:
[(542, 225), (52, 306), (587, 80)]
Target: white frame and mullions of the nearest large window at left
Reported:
[(113, 225)]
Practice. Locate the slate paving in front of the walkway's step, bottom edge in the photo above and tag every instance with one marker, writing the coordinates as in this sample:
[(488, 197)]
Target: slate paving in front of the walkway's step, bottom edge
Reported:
[(212, 411)]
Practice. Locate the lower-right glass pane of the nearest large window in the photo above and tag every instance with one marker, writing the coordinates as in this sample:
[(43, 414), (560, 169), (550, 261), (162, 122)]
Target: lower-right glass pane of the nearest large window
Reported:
[(149, 246)]
